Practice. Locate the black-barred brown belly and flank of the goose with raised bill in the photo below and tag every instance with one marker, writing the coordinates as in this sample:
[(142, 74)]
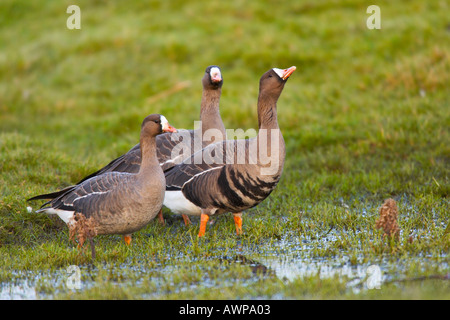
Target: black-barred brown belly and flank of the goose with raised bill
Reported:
[(229, 189)]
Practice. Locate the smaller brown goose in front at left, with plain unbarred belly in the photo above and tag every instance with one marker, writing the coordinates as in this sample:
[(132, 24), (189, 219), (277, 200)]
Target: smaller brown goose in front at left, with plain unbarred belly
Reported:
[(118, 202)]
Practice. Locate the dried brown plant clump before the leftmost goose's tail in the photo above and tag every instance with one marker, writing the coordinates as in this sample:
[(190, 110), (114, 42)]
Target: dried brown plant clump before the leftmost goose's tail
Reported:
[(83, 228)]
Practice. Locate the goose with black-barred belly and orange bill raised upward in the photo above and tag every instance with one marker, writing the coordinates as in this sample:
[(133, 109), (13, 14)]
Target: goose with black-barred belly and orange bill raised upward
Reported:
[(234, 175)]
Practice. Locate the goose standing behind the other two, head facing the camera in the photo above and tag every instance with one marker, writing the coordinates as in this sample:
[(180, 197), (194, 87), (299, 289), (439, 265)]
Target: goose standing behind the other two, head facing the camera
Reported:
[(210, 119)]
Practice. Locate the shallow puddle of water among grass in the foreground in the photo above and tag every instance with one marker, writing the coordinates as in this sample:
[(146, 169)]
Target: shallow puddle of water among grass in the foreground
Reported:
[(289, 258)]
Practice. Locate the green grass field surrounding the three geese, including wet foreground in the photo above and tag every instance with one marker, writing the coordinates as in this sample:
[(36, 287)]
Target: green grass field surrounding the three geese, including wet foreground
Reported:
[(365, 117)]
